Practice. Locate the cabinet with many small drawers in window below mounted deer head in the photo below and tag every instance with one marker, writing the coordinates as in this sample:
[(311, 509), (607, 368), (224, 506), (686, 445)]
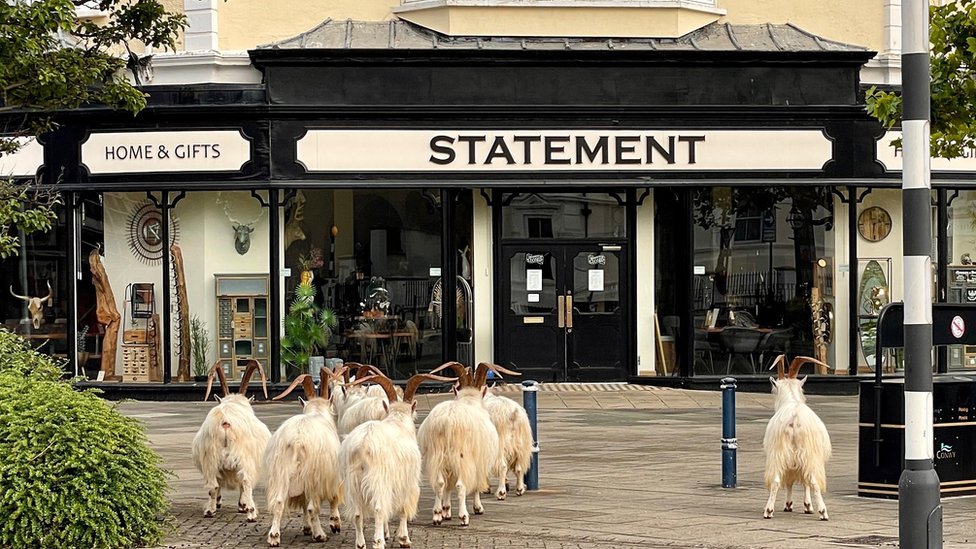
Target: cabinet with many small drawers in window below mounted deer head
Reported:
[(242, 321)]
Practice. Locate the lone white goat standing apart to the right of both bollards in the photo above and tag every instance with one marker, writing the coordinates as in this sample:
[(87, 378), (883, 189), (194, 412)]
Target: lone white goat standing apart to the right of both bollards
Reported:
[(796, 444)]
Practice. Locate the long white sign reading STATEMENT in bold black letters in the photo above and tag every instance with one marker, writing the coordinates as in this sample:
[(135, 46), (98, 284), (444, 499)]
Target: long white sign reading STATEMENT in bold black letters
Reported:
[(562, 150)]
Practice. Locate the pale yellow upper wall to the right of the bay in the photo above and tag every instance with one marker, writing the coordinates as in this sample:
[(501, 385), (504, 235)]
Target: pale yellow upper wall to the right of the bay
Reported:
[(860, 22)]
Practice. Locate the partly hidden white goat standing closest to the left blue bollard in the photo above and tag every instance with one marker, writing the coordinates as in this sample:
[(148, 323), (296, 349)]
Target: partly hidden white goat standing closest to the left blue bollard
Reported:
[(514, 441)]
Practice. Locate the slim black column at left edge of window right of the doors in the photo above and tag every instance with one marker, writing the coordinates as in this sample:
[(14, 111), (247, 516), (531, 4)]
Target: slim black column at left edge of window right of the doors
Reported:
[(684, 293)]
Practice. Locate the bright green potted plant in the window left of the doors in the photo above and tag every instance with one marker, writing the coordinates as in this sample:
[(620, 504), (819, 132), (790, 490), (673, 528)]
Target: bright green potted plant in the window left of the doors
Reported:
[(308, 329)]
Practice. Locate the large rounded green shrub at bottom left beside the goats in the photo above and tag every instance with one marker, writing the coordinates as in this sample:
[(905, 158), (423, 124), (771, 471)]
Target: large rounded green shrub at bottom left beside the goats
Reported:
[(74, 472)]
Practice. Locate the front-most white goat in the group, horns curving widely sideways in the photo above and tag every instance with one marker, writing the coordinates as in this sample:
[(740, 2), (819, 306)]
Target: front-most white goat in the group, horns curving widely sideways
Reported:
[(380, 463)]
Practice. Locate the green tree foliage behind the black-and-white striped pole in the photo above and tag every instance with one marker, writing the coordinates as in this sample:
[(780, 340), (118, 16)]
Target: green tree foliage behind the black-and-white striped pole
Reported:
[(952, 33)]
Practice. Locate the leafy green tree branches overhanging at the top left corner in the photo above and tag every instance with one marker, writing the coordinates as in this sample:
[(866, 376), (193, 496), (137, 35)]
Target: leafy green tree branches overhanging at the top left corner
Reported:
[(50, 61)]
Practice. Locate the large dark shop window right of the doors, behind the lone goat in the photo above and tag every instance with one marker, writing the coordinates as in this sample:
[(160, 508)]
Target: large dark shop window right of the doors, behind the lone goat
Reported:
[(762, 285)]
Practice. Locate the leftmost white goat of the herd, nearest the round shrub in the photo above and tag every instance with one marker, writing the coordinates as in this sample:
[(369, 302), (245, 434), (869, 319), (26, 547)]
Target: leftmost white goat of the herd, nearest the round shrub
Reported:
[(227, 448)]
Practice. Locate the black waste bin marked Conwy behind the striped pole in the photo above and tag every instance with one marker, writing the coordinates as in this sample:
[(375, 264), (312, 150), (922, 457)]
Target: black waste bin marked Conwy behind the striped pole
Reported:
[(880, 465)]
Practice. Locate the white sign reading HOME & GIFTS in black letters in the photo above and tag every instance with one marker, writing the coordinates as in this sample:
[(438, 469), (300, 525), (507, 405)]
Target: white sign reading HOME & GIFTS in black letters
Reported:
[(153, 152)]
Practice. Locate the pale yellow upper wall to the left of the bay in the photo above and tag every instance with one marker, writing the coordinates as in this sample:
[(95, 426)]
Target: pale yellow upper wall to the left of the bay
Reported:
[(244, 24)]
